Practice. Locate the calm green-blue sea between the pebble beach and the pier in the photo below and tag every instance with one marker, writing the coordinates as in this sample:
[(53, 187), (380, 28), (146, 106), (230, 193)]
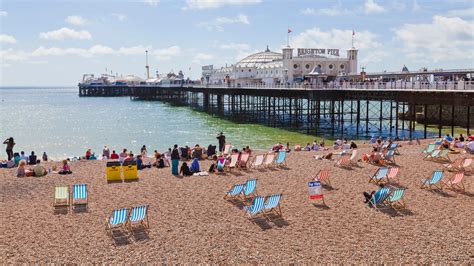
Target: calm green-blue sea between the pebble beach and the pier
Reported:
[(57, 121)]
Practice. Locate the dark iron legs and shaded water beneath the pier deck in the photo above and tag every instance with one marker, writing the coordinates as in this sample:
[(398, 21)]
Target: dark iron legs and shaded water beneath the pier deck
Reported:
[(337, 112)]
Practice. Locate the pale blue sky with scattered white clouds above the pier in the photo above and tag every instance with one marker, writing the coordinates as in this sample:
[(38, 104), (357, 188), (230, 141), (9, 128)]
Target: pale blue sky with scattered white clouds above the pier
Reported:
[(55, 42)]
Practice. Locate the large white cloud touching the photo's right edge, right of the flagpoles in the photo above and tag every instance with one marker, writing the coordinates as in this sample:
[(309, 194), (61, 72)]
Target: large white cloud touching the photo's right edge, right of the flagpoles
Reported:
[(445, 38)]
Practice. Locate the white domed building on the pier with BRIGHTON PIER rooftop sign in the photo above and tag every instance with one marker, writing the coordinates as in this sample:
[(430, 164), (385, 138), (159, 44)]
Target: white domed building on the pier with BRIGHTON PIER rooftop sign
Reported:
[(272, 68)]
